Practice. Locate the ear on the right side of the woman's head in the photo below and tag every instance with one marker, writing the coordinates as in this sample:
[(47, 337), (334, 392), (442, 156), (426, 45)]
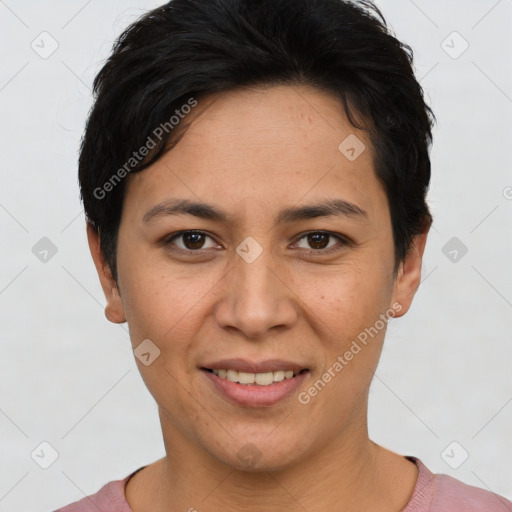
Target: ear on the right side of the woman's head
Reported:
[(408, 277)]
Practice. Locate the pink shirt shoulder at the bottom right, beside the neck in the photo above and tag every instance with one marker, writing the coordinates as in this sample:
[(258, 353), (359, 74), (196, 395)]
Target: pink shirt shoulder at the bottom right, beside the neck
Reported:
[(447, 494)]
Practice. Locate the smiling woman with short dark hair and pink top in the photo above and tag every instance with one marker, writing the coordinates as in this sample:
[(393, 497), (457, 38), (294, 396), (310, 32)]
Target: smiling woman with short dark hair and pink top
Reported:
[(254, 176)]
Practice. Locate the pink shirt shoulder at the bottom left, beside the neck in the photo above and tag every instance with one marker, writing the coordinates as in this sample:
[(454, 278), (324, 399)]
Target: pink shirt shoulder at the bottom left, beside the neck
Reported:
[(110, 495)]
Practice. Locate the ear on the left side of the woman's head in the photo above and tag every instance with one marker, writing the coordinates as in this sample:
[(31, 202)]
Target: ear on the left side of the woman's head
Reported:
[(114, 310)]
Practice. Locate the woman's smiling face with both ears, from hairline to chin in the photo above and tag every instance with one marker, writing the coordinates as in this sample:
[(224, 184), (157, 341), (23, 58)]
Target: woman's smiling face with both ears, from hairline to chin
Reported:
[(288, 268)]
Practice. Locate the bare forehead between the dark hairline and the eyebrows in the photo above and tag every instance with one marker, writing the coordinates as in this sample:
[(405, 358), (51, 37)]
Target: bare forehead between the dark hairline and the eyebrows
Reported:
[(255, 147)]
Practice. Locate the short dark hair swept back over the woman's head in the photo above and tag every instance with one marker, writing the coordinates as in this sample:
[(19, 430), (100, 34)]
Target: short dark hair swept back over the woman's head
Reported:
[(192, 48)]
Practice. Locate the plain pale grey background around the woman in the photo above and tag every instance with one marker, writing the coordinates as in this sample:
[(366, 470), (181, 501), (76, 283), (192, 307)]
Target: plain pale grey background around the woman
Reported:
[(68, 376)]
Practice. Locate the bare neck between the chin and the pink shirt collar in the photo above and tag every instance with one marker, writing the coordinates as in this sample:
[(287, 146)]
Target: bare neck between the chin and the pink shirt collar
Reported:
[(351, 472)]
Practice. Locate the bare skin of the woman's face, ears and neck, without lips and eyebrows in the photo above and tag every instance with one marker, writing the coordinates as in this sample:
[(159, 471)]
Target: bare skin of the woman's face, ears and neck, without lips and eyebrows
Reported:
[(253, 152)]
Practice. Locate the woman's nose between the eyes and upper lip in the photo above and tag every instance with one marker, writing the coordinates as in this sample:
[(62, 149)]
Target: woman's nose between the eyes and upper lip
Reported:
[(257, 297)]
